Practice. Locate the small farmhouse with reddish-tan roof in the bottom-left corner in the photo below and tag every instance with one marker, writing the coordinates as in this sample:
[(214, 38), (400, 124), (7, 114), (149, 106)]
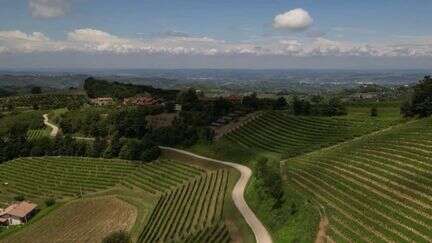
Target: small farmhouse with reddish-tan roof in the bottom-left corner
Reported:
[(17, 213)]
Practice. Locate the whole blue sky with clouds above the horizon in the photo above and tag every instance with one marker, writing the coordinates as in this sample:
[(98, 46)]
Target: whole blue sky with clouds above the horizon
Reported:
[(279, 34)]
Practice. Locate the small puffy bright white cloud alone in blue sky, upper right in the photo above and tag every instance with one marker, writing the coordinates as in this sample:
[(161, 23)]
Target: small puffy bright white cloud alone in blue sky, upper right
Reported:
[(296, 19)]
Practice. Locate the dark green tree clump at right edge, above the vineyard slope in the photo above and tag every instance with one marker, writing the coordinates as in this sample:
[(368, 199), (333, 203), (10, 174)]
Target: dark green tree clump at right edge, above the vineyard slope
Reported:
[(420, 103)]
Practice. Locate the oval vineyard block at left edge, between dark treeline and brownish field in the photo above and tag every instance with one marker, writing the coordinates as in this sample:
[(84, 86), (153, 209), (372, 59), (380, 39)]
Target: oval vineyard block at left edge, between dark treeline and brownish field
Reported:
[(61, 176)]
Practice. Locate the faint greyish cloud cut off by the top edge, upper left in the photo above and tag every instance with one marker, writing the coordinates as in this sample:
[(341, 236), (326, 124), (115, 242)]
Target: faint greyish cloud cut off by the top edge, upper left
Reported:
[(48, 8)]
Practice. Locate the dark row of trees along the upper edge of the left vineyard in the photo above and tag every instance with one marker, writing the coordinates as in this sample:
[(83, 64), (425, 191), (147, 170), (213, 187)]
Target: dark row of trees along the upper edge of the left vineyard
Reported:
[(15, 144)]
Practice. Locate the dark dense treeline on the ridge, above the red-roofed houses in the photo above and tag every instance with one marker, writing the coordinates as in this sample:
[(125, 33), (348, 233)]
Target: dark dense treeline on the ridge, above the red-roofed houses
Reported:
[(101, 88)]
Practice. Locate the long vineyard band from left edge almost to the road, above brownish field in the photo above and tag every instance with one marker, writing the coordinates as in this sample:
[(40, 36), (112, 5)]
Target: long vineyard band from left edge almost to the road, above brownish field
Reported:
[(71, 176)]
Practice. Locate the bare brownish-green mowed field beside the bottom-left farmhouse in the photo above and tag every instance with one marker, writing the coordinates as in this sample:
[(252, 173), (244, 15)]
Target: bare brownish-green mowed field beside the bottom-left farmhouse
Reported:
[(86, 220)]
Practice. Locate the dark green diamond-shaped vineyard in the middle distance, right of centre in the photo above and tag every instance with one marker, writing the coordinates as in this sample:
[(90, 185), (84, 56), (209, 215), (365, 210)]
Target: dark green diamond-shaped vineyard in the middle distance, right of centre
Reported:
[(292, 135)]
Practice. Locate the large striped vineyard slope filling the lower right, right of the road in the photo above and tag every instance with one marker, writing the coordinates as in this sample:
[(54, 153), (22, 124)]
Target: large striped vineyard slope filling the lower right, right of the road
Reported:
[(375, 189)]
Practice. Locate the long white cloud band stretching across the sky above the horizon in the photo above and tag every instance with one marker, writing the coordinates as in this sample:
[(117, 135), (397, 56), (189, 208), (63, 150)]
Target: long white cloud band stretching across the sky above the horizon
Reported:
[(97, 41)]
